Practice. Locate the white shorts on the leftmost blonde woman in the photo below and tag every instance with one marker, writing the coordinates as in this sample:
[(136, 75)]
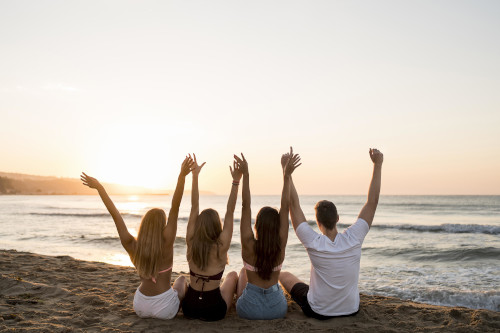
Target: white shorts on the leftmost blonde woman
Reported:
[(162, 306)]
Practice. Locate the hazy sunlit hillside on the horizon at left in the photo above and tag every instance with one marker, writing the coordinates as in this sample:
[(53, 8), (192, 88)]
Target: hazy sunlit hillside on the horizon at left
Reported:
[(16, 183)]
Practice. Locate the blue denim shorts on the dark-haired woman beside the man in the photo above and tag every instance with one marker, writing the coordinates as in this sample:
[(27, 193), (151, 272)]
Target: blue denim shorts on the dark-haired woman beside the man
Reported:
[(259, 303)]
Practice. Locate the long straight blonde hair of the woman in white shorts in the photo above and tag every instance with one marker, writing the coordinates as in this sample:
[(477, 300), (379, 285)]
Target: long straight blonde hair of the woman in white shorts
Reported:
[(149, 249)]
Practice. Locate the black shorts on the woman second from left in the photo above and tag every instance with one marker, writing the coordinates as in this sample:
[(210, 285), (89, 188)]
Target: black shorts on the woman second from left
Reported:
[(211, 307)]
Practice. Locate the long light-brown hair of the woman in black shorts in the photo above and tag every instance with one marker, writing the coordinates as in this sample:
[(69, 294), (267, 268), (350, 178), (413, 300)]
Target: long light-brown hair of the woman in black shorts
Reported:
[(207, 230)]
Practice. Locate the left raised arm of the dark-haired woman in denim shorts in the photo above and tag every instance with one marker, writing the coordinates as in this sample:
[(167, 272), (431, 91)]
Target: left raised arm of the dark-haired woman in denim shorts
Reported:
[(246, 233)]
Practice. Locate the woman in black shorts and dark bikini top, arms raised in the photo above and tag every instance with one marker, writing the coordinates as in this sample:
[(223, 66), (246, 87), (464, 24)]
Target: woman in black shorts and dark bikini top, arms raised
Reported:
[(207, 246)]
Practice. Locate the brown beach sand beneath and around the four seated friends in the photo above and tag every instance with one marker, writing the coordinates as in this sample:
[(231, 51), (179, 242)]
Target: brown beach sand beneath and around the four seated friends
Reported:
[(61, 294)]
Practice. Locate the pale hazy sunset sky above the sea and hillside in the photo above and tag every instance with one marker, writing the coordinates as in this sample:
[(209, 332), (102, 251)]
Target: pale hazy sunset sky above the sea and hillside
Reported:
[(123, 90)]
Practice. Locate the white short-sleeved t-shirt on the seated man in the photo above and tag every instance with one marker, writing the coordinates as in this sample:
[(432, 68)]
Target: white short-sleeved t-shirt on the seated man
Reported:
[(333, 290)]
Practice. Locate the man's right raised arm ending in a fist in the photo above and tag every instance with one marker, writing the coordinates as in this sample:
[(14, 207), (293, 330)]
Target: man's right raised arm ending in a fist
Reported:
[(368, 211)]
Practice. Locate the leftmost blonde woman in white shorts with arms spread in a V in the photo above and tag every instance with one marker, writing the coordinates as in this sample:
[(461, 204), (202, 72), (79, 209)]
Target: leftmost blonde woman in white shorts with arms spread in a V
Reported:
[(152, 252)]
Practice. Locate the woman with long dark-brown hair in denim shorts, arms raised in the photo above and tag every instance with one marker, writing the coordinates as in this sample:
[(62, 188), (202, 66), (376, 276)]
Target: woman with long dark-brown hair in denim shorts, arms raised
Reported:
[(259, 294)]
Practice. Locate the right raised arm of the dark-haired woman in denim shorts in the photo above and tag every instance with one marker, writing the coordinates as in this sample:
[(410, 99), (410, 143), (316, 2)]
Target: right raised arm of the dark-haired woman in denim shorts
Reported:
[(291, 164)]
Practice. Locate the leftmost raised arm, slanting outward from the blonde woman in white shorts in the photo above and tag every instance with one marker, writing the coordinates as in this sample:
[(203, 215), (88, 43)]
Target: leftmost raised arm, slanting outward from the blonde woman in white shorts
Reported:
[(126, 238)]
